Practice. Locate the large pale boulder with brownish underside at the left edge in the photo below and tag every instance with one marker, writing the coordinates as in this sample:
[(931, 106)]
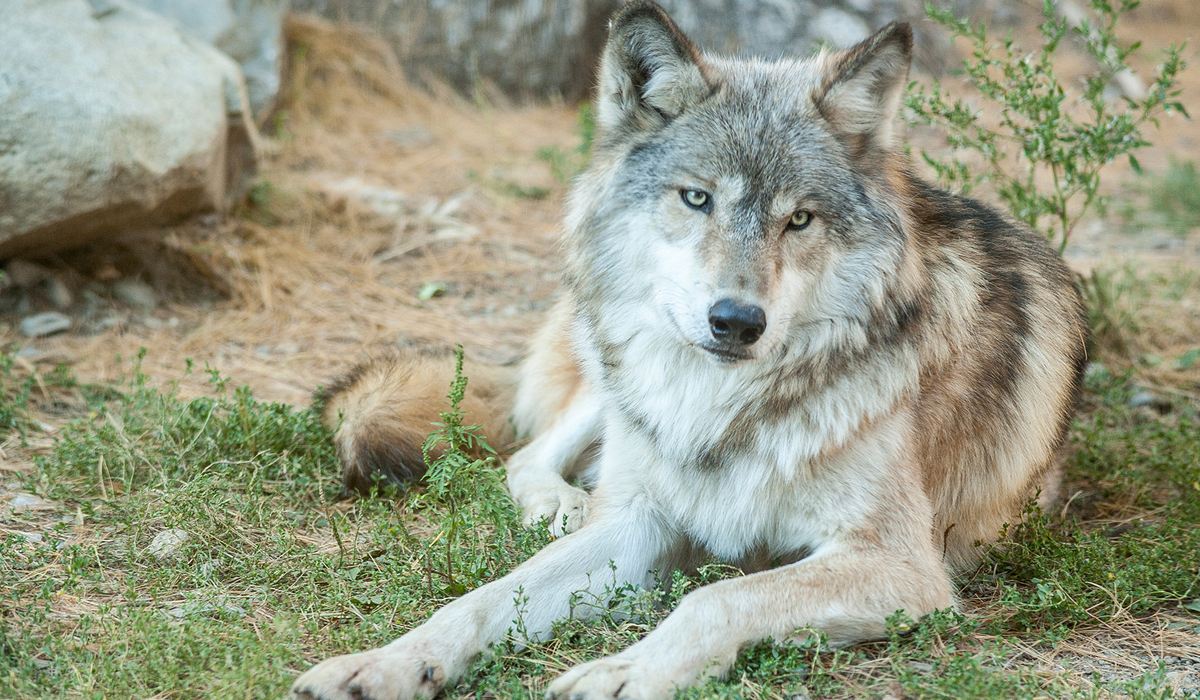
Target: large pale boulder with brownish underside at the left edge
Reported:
[(112, 119)]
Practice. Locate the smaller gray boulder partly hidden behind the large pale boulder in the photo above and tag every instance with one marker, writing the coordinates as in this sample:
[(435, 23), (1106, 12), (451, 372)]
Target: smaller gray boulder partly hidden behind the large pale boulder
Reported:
[(250, 32)]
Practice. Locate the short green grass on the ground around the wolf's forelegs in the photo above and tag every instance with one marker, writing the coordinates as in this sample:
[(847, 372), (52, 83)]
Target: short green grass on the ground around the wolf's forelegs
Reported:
[(280, 572)]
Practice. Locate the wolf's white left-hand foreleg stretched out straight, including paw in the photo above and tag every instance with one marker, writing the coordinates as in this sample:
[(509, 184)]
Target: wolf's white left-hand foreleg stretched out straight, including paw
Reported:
[(622, 546)]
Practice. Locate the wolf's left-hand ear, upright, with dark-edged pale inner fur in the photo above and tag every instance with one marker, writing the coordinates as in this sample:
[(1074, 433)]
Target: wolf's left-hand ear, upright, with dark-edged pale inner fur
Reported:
[(650, 73)]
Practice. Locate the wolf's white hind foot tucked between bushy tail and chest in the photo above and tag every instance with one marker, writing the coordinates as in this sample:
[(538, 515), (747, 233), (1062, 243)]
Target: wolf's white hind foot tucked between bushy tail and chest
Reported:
[(537, 472)]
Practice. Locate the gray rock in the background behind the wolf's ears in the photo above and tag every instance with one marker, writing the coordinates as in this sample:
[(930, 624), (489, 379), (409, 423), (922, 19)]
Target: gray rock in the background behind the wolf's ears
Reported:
[(537, 49)]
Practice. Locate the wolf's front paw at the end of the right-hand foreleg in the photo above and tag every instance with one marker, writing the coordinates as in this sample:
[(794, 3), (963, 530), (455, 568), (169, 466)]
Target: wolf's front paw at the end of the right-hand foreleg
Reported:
[(625, 679)]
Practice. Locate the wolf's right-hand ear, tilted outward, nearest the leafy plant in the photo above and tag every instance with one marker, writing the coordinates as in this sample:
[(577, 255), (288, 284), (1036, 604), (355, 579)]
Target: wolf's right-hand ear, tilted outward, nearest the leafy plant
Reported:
[(863, 86)]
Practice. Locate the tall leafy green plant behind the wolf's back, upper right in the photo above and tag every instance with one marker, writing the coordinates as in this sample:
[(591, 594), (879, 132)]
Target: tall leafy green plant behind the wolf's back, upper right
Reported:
[(1041, 146)]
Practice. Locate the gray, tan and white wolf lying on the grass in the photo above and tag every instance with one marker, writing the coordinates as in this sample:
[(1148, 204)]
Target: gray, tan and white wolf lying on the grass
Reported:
[(776, 346)]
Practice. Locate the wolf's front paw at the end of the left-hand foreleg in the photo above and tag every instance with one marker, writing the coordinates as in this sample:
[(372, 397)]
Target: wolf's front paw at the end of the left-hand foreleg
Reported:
[(374, 675)]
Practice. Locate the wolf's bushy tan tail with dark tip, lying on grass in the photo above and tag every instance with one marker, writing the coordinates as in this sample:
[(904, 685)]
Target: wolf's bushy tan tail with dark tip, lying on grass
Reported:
[(382, 411)]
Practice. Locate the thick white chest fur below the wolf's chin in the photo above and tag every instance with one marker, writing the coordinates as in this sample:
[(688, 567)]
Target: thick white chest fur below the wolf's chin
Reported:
[(793, 480)]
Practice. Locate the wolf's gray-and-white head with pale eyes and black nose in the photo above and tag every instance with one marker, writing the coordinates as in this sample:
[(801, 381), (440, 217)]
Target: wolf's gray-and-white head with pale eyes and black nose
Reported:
[(739, 206)]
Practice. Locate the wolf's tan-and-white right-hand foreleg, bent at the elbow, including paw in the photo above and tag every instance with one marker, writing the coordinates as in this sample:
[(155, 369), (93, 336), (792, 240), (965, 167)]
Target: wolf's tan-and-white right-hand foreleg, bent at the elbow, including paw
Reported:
[(844, 591)]
